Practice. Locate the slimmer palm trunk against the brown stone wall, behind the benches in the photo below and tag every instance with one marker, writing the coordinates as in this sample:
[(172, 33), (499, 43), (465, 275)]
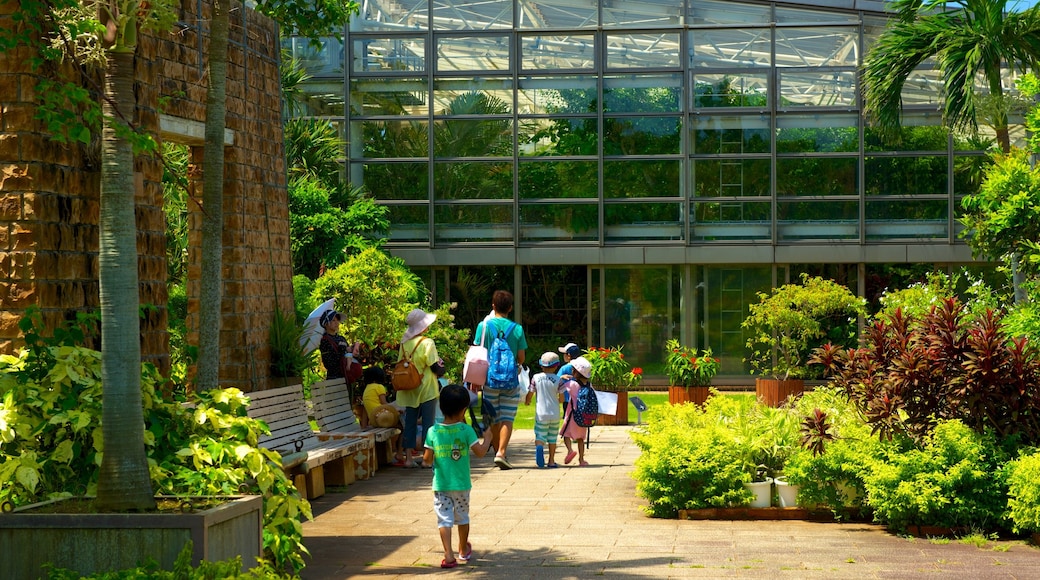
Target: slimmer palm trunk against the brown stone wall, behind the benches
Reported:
[(213, 198)]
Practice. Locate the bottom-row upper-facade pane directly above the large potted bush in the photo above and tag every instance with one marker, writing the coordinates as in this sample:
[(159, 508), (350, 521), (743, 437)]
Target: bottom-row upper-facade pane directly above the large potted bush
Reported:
[(818, 221)]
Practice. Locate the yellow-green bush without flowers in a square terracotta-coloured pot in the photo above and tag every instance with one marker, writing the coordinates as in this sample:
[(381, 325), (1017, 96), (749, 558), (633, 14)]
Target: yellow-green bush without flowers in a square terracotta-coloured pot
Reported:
[(789, 324)]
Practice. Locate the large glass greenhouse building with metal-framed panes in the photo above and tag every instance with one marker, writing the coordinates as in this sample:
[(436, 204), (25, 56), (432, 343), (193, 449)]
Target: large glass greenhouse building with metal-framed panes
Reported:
[(638, 171)]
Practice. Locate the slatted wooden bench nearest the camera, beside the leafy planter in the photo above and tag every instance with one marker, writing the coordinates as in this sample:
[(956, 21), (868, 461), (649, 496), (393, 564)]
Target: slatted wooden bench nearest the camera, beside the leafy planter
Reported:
[(309, 460)]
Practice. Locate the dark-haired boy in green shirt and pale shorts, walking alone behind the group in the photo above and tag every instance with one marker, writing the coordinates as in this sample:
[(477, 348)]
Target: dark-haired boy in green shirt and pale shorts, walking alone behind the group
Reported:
[(448, 451)]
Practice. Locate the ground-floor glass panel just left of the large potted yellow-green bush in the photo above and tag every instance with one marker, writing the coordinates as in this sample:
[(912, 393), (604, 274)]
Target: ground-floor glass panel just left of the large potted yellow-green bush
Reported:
[(723, 297)]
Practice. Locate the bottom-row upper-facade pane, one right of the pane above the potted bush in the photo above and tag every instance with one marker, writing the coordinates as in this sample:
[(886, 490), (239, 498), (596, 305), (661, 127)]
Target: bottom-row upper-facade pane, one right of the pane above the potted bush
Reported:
[(907, 220)]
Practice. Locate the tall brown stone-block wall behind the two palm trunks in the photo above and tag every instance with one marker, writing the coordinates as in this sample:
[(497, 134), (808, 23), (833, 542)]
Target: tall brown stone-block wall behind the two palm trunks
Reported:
[(49, 197)]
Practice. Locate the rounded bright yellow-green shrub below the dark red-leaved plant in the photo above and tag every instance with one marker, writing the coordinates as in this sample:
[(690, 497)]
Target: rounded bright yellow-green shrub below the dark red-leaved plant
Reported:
[(953, 480)]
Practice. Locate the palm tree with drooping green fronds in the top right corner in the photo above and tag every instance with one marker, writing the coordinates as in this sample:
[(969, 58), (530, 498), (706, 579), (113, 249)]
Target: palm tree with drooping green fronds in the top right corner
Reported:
[(967, 39)]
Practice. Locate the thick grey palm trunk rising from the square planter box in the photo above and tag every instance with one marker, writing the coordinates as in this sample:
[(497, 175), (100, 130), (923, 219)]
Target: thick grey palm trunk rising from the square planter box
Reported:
[(124, 482)]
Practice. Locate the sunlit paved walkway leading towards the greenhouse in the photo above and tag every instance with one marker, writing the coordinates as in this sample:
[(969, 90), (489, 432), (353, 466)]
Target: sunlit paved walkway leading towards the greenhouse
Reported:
[(583, 522)]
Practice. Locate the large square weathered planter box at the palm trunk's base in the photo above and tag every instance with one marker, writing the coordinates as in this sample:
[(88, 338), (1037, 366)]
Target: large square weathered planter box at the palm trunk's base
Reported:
[(91, 543)]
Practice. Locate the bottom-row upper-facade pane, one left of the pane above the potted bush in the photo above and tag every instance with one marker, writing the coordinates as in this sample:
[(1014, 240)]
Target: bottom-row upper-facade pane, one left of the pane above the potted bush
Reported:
[(732, 221)]
